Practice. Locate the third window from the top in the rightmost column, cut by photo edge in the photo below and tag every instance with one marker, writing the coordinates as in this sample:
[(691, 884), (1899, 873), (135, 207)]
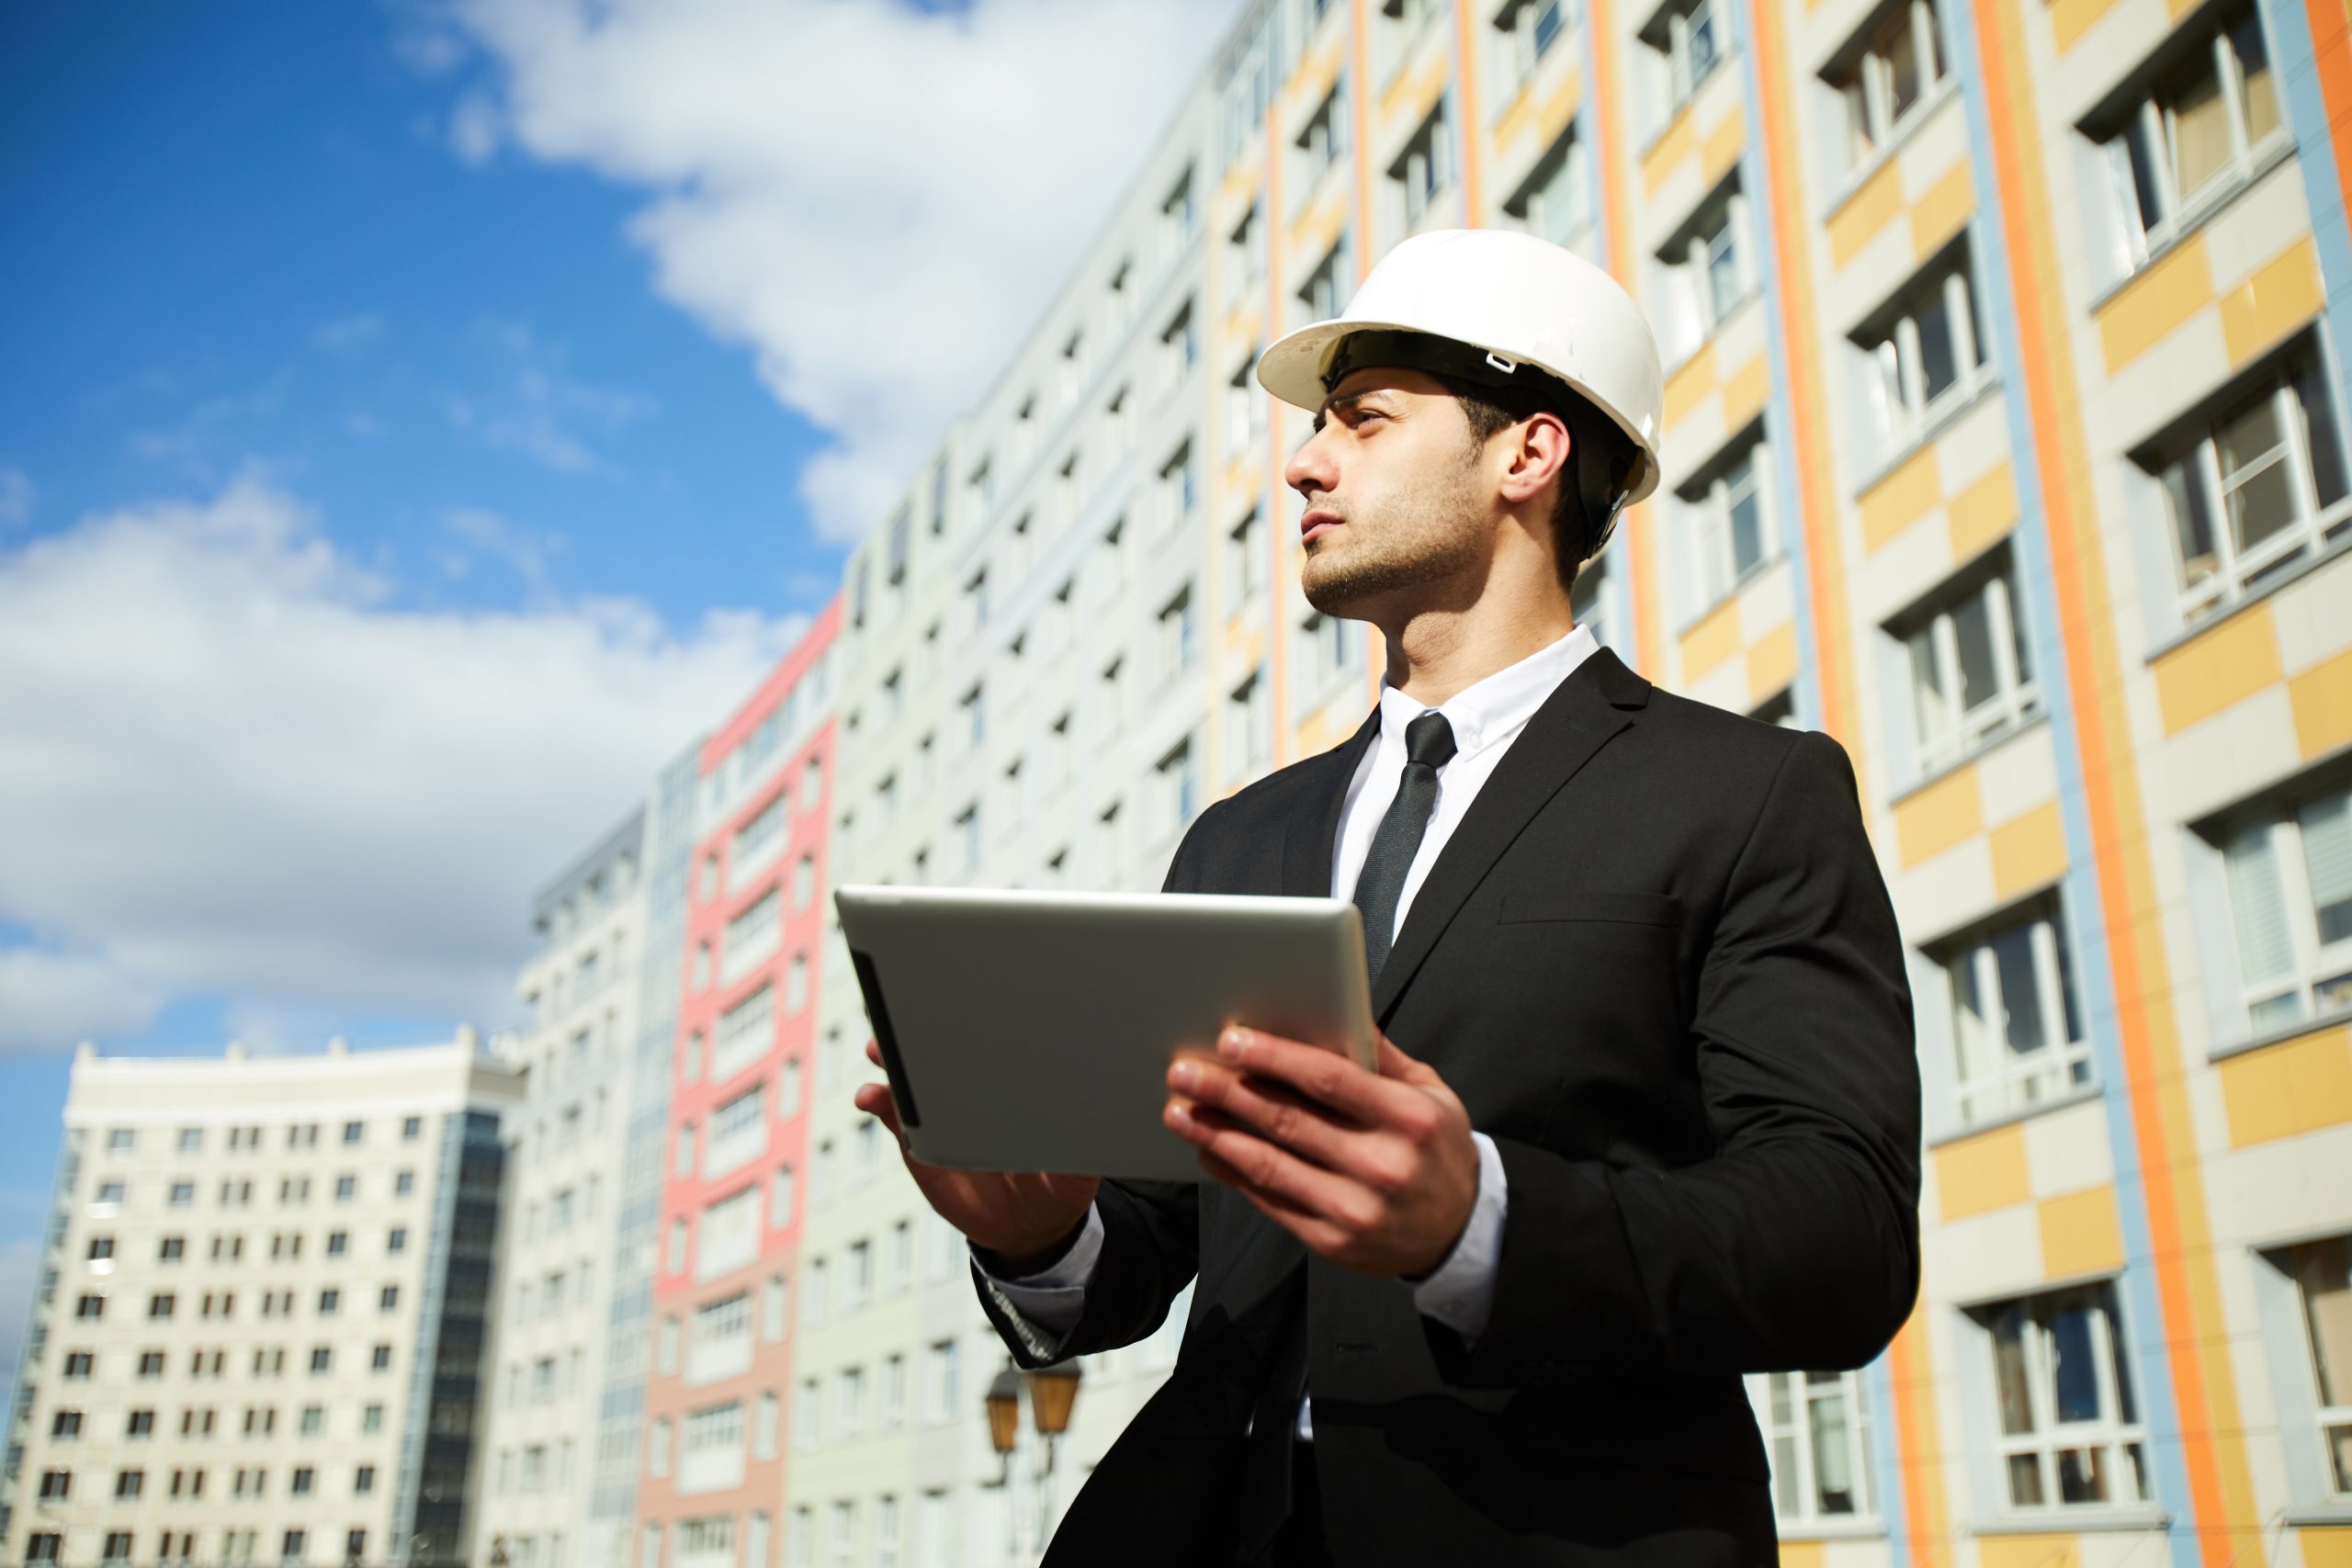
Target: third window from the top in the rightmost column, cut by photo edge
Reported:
[(2292, 906)]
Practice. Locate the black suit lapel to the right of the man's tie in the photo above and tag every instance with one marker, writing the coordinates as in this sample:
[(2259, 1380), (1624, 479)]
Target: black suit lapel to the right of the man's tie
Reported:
[(1582, 716)]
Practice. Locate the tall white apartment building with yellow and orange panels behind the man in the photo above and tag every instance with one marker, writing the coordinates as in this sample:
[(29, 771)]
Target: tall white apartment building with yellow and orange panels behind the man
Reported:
[(2003, 441)]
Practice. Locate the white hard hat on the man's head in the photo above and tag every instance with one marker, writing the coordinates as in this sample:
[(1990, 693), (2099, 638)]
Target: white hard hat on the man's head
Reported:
[(1518, 304)]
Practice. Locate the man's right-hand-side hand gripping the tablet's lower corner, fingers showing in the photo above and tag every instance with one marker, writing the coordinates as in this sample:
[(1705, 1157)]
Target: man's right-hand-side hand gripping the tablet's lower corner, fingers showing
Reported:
[(1375, 1172)]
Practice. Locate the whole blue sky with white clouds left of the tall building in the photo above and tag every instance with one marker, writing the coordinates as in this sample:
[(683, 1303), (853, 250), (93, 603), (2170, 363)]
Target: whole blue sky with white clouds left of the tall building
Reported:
[(427, 417)]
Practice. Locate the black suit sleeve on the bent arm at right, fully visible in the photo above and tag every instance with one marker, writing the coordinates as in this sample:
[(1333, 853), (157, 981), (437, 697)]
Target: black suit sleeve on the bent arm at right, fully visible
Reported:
[(1796, 1247)]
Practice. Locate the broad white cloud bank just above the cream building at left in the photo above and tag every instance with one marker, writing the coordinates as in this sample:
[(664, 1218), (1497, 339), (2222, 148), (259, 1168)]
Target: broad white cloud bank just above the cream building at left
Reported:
[(255, 777)]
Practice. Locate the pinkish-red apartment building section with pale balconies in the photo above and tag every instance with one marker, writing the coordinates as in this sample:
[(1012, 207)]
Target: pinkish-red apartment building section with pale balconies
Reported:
[(737, 1120)]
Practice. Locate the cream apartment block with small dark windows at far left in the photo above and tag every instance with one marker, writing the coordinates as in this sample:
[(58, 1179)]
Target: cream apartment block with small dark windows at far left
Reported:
[(262, 1308)]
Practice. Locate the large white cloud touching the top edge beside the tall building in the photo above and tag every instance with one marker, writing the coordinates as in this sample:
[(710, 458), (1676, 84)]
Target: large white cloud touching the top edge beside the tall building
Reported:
[(874, 199)]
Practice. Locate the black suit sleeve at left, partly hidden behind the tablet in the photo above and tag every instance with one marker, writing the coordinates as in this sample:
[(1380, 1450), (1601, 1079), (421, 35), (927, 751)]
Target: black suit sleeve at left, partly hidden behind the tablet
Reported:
[(1149, 1238)]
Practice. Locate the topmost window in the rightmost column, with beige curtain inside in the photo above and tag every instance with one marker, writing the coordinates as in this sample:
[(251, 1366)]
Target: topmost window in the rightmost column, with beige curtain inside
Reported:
[(2193, 140)]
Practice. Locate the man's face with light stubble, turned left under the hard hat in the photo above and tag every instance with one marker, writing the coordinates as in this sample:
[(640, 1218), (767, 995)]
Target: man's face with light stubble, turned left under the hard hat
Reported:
[(1396, 490)]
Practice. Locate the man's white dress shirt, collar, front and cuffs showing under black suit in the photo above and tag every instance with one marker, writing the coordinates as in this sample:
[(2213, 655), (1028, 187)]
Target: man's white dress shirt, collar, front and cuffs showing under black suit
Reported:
[(1485, 721)]
